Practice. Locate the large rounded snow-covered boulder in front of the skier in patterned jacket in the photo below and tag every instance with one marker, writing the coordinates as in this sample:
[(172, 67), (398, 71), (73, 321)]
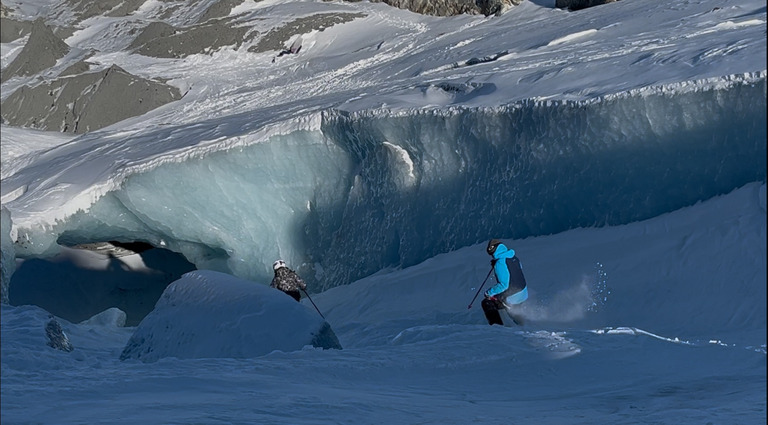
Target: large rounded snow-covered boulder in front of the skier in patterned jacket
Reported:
[(208, 314)]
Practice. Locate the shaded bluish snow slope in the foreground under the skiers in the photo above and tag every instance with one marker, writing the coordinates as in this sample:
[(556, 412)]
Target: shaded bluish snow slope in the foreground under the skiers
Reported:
[(665, 335)]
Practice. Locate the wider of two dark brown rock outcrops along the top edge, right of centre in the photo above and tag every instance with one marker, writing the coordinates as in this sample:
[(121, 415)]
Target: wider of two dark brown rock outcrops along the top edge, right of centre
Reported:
[(453, 7)]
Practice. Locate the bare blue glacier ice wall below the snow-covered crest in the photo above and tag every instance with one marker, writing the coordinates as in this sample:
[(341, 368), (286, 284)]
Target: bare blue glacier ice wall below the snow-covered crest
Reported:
[(381, 189)]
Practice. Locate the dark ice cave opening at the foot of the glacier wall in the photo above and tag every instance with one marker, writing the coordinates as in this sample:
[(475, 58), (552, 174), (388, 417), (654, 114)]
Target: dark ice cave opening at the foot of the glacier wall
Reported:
[(88, 278)]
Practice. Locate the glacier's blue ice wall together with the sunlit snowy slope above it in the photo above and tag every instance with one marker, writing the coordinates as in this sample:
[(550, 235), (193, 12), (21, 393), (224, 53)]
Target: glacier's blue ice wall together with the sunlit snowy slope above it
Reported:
[(357, 153)]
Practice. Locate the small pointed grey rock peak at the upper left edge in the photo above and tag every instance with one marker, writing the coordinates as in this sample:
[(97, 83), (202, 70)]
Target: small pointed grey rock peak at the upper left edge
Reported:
[(40, 53)]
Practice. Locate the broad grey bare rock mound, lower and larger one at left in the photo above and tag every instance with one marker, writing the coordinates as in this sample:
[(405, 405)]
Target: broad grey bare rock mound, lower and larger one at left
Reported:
[(86, 102)]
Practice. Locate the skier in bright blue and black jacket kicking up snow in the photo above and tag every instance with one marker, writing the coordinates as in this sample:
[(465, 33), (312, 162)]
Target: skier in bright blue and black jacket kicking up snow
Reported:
[(510, 289)]
